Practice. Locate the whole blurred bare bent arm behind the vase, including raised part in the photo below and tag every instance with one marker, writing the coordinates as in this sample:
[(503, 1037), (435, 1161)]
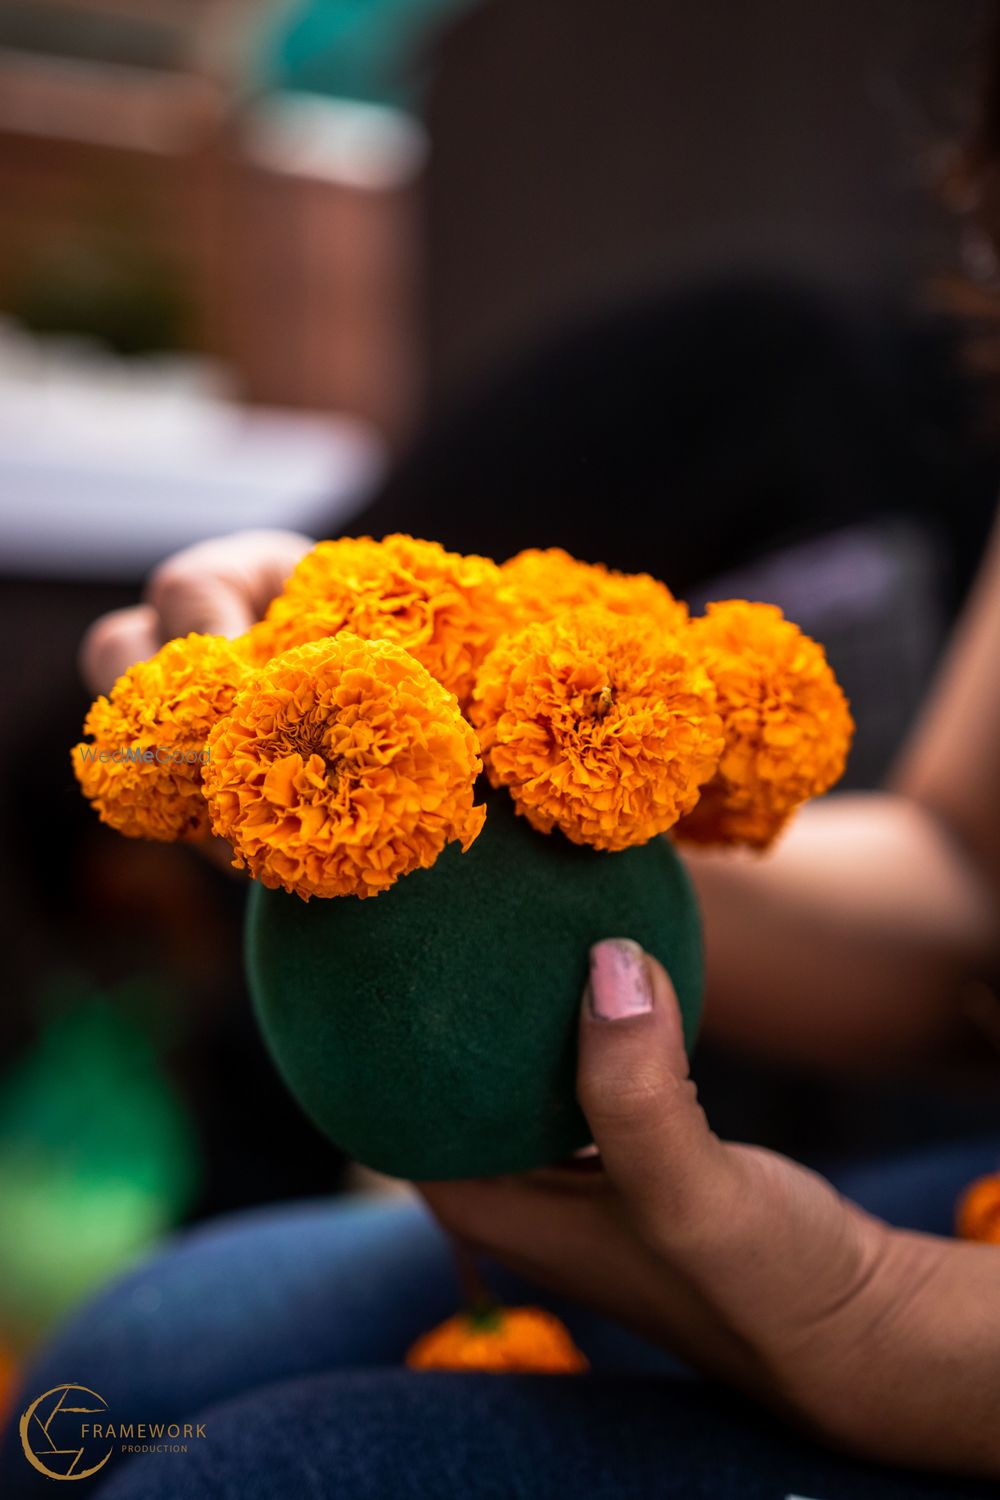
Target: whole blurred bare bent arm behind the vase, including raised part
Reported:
[(857, 937)]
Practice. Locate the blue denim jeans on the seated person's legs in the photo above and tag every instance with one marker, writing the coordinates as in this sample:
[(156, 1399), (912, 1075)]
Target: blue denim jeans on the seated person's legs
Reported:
[(283, 1333)]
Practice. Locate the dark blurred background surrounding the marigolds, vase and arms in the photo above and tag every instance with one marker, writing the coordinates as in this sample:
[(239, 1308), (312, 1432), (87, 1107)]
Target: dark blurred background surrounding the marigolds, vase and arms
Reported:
[(328, 263)]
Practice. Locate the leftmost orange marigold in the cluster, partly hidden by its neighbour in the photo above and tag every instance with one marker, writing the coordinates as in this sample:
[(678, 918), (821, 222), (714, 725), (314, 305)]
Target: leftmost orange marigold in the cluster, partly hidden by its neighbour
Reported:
[(152, 734)]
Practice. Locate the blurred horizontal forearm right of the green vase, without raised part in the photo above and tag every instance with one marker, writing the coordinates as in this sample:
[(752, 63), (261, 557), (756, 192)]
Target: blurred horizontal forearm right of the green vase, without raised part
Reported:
[(852, 941)]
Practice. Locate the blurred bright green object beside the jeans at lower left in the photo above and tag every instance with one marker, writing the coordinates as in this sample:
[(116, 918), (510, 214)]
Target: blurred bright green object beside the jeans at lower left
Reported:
[(98, 1160)]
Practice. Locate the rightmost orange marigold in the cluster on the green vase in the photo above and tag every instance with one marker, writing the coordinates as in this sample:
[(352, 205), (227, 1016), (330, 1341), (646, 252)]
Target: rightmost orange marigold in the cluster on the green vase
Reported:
[(788, 724)]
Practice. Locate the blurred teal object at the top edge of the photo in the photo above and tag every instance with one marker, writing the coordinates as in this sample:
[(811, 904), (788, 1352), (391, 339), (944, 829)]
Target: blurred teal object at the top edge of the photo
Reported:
[(368, 50)]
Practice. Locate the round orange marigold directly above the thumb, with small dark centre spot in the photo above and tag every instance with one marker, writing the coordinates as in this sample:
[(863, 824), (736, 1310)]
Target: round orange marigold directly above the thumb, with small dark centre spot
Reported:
[(602, 727)]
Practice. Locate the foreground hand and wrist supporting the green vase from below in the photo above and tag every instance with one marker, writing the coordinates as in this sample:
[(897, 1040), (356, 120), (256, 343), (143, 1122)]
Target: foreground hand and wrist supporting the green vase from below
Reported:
[(747, 1265)]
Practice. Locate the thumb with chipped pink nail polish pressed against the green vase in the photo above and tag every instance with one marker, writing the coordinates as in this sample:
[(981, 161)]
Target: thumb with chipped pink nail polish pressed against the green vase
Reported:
[(635, 1090)]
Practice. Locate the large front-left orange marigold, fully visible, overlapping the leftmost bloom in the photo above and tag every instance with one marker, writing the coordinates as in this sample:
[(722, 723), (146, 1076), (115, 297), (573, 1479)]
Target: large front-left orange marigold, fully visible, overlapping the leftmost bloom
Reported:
[(343, 766)]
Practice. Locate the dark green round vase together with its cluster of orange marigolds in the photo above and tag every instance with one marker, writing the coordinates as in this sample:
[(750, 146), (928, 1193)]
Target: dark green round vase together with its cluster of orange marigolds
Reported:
[(422, 1000)]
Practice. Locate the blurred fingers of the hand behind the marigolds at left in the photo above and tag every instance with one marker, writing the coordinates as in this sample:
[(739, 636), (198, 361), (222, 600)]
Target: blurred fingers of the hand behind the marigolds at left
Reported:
[(218, 587)]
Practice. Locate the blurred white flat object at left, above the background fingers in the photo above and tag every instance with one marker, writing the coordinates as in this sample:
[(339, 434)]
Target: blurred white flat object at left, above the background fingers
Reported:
[(107, 466)]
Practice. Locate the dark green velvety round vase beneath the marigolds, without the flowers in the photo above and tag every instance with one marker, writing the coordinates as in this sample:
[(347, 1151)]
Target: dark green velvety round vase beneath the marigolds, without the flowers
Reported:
[(431, 1031)]
